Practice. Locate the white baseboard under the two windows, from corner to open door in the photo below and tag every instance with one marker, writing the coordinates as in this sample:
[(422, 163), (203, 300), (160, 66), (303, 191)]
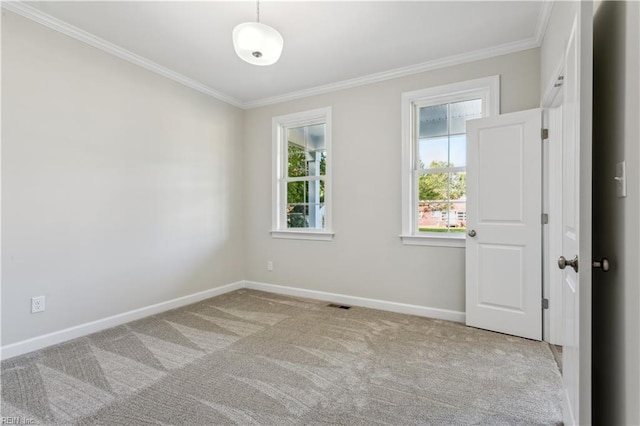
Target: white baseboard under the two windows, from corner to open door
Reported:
[(402, 308)]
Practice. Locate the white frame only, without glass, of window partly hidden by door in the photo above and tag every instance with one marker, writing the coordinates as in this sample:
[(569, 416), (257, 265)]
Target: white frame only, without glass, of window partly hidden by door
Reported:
[(487, 89)]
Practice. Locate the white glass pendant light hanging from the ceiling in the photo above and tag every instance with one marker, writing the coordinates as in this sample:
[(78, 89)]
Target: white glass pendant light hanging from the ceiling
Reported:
[(257, 43)]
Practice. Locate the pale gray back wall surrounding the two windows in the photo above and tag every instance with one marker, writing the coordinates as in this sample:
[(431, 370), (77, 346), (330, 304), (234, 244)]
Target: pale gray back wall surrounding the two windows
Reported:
[(367, 258)]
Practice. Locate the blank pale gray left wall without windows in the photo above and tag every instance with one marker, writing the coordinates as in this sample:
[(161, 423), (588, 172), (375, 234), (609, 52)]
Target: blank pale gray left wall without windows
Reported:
[(120, 188)]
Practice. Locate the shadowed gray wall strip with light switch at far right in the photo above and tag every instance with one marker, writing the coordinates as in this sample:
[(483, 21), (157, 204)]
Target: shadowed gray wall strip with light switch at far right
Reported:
[(616, 107)]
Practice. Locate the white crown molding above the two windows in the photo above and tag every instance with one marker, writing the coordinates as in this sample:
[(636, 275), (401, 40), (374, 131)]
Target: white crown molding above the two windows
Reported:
[(504, 49)]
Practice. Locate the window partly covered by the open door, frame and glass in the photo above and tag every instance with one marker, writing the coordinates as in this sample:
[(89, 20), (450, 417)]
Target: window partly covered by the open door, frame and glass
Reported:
[(435, 156)]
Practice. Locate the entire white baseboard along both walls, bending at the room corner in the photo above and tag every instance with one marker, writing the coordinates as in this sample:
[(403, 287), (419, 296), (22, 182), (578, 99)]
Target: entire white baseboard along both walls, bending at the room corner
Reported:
[(39, 342)]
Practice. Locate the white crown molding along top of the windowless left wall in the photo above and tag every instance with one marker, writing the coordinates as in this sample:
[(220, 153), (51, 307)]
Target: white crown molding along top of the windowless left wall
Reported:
[(47, 20)]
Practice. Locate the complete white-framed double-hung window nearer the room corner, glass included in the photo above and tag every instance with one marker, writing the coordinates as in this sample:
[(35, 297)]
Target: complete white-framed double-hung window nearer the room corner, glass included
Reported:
[(301, 175)]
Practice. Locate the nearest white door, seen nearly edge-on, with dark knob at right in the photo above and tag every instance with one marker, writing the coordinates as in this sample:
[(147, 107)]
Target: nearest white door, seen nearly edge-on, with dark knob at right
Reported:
[(576, 220)]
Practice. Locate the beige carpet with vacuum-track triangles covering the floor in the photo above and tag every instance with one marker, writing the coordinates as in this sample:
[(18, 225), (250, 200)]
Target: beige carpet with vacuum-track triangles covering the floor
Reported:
[(255, 358)]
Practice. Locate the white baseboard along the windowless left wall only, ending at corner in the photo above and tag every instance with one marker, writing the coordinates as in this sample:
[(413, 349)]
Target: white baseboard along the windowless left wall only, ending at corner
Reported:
[(39, 342)]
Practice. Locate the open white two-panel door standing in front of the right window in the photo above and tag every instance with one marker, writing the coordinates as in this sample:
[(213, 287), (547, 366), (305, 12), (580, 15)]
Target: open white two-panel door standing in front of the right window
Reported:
[(504, 241)]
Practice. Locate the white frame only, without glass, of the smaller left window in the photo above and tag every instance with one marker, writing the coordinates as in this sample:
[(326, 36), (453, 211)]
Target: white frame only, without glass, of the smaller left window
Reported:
[(280, 124)]
